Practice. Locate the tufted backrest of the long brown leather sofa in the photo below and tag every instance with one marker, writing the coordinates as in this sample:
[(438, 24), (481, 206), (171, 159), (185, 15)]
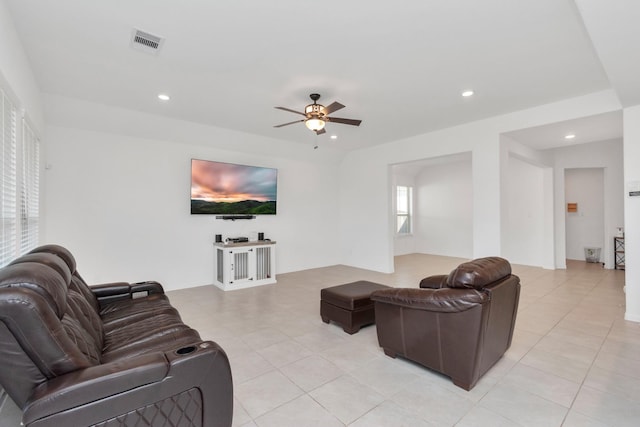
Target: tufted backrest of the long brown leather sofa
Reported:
[(47, 328)]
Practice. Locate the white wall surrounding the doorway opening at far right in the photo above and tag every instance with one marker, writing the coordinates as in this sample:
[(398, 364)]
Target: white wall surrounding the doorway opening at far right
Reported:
[(607, 155)]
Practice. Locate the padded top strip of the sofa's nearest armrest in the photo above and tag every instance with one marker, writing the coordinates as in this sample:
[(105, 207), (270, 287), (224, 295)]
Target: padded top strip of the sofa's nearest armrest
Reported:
[(94, 383)]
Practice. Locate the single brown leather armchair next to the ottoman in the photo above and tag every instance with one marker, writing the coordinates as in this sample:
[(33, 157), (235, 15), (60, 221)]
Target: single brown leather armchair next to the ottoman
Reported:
[(459, 325)]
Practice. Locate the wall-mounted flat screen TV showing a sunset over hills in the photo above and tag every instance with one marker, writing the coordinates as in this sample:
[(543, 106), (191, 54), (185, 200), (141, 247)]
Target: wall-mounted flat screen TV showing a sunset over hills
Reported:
[(228, 189)]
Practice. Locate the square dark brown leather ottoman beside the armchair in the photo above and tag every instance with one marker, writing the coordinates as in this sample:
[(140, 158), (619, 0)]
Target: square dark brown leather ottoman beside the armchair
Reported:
[(349, 305)]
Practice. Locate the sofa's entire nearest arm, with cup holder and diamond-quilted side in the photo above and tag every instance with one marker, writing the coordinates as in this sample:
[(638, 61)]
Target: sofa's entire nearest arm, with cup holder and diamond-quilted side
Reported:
[(200, 371)]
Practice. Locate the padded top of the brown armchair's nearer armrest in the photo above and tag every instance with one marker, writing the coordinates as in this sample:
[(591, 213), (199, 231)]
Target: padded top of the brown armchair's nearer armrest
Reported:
[(445, 300)]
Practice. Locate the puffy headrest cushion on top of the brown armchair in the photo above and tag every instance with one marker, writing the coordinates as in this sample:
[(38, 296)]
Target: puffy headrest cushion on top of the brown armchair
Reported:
[(478, 273)]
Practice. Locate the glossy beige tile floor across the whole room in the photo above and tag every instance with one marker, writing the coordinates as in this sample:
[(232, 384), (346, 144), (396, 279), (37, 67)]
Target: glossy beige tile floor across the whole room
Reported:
[(574, 361)]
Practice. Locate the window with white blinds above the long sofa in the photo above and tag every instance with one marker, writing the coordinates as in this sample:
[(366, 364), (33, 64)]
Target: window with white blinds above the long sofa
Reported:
[(19, 183)]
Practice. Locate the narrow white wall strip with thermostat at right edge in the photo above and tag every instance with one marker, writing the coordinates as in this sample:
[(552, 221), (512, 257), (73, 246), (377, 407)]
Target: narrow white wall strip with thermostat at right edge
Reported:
[(632, 212)]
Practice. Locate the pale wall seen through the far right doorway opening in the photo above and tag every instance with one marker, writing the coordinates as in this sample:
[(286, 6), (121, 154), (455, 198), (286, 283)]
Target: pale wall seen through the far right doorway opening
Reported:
[(584, 228)]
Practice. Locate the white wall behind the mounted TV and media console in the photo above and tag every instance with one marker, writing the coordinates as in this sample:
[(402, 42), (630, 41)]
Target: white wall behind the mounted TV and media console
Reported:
[(121, 203)]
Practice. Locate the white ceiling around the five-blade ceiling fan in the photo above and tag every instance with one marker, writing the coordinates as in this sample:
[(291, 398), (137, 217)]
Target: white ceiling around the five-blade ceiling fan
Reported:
[(399, 66)]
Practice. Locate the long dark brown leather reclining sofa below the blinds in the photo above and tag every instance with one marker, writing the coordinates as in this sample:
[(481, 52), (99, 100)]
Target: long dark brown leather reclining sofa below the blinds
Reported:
[(111, 355)]
